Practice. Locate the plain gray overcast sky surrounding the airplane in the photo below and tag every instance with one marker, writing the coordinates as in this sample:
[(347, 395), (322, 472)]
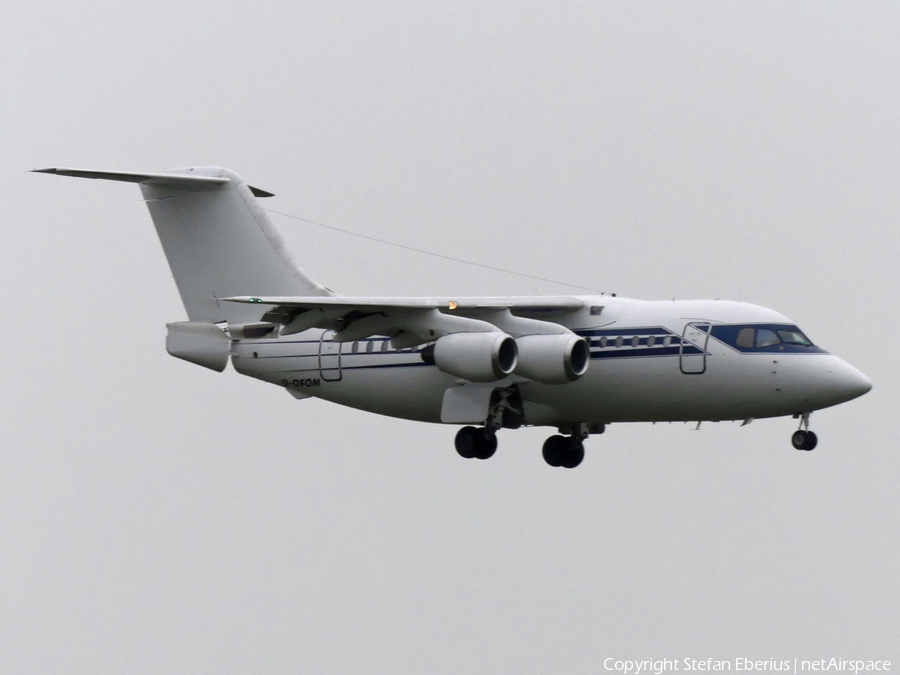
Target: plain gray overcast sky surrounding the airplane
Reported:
[(156, 517)]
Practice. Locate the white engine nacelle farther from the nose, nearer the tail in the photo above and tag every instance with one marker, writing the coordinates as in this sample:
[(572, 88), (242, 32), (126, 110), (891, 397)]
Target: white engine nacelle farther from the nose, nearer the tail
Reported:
[(478, 357)]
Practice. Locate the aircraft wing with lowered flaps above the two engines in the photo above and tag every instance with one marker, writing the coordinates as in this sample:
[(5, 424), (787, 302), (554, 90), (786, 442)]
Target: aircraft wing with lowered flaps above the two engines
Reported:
[(412, 321)]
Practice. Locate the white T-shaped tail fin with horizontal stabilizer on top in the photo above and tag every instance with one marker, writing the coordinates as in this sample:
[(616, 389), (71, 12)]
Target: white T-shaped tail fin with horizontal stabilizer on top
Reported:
[(218, 240)]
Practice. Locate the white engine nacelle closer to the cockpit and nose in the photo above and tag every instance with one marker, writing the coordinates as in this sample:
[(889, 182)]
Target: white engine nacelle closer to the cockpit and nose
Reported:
[(552, 359)]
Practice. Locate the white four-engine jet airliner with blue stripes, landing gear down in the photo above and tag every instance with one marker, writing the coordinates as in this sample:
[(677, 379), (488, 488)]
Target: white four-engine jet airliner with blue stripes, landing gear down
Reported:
[(576, 363)]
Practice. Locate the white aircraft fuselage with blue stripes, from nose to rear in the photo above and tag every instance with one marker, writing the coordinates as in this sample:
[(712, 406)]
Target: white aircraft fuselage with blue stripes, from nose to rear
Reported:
[(651, 361)]
